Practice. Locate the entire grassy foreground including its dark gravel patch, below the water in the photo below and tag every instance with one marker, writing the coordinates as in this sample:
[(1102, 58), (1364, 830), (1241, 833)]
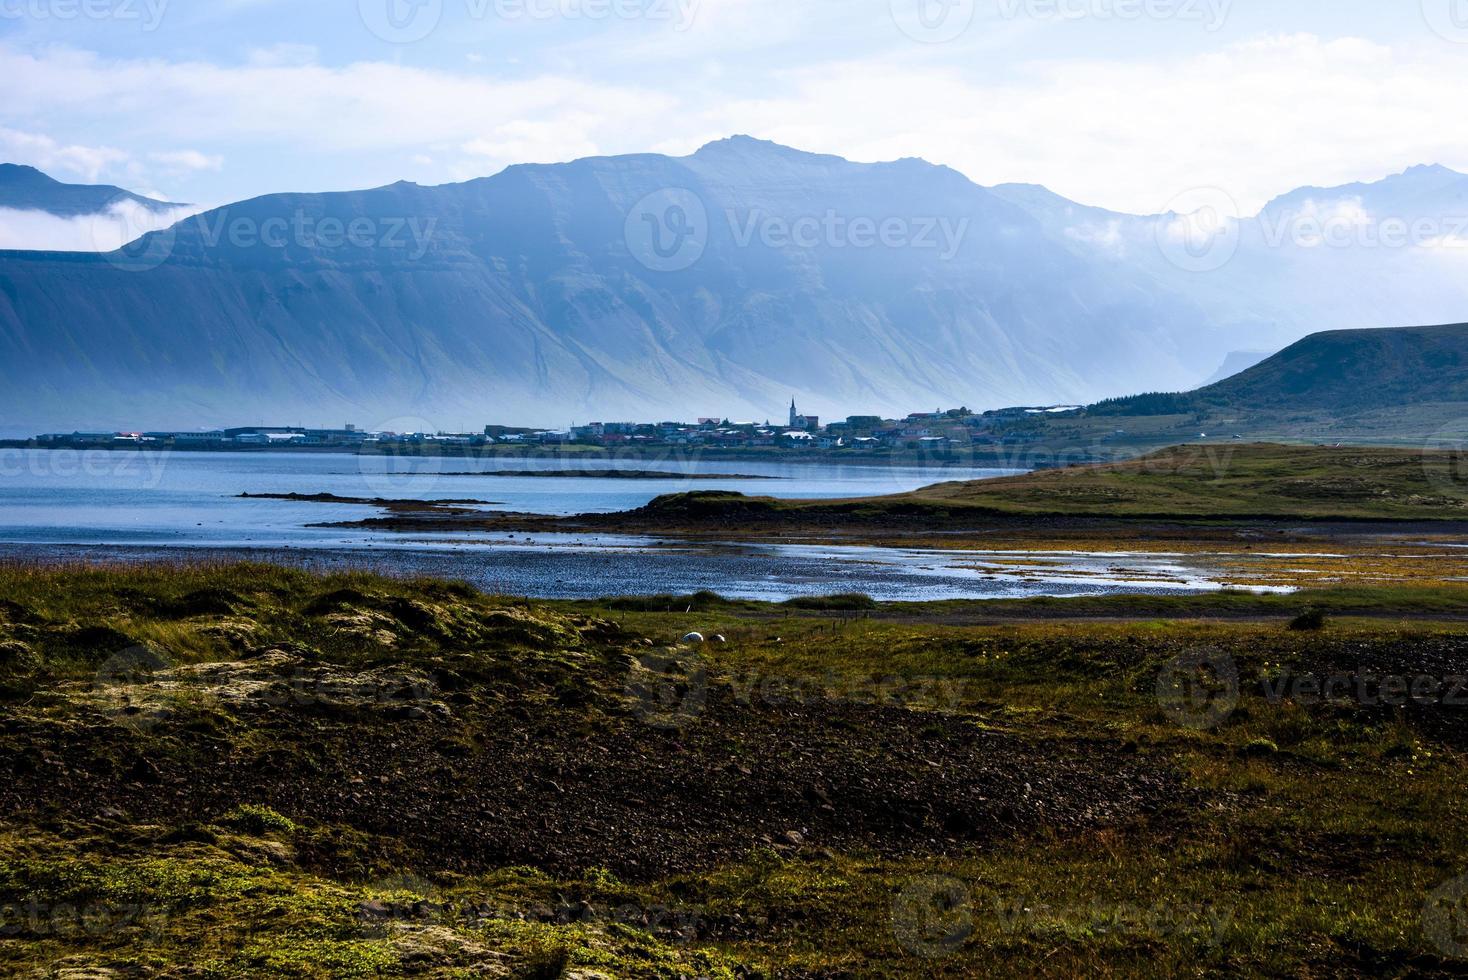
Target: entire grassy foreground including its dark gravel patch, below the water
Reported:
[(250, 772)]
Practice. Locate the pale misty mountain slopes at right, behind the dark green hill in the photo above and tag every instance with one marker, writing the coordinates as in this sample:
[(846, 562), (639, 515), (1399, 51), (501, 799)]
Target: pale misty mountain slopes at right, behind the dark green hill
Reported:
[(1388, 253)]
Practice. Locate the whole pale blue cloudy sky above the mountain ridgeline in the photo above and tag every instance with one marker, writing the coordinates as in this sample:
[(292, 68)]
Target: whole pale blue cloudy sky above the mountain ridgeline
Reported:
[(1130, 105)]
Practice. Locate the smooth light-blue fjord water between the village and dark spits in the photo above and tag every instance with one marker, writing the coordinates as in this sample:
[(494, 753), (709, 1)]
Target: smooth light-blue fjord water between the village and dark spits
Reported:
[(193, 500)]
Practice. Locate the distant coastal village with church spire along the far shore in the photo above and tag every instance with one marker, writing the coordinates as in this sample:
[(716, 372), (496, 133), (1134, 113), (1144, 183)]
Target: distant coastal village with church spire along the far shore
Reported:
[(953, 429)]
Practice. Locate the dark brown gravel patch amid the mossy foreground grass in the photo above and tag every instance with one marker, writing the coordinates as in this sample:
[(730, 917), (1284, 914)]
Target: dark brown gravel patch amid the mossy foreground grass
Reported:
[(523, 784)]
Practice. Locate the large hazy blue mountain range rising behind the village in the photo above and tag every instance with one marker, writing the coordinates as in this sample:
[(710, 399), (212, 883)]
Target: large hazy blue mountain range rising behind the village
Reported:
[(720, 284)]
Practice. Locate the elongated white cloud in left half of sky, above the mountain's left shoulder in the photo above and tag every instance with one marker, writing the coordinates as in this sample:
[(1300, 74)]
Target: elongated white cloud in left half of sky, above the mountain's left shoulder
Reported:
[(365, 108)]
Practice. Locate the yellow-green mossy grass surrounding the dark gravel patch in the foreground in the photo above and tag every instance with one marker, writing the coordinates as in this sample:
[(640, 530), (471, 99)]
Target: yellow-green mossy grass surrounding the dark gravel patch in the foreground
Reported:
[(1304, 840)]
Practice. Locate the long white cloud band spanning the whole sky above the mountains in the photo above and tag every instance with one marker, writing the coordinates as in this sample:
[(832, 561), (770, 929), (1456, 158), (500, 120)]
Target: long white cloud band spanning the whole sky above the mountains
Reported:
[(1251, 118)]
